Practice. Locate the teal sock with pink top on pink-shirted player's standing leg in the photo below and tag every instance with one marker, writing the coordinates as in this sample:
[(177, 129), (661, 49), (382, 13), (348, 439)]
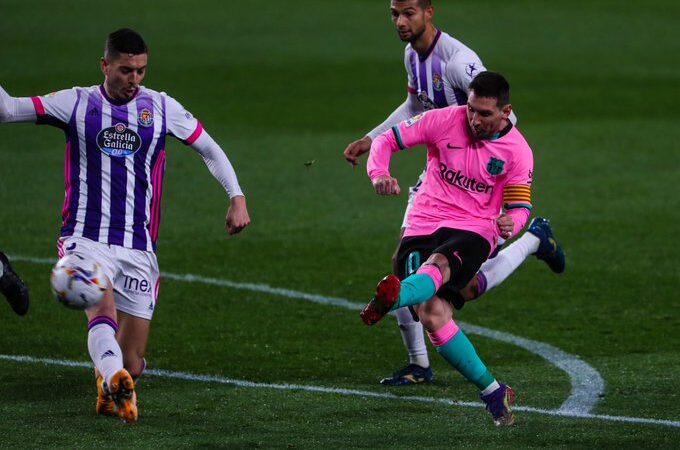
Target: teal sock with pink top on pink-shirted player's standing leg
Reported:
[(452, 344)]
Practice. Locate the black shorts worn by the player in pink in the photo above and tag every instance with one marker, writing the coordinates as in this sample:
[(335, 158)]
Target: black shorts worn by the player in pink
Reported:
[(464, 250)]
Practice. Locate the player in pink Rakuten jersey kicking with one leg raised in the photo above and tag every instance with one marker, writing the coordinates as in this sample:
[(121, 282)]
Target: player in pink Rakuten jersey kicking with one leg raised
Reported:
[(477, 161)]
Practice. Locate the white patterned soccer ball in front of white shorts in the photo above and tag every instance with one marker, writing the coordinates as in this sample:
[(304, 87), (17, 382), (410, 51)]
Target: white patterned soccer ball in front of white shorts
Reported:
[(78, 282)]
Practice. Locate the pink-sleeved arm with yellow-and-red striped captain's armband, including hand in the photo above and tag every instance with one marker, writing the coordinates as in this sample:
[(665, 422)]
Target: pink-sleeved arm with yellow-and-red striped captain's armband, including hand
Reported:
[(517, 194)]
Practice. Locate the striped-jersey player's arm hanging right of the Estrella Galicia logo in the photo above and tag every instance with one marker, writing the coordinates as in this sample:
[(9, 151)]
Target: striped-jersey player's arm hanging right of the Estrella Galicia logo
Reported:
[(189, 130)]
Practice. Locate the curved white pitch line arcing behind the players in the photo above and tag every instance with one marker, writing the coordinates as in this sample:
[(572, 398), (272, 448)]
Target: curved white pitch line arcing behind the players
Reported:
[(586, 383)]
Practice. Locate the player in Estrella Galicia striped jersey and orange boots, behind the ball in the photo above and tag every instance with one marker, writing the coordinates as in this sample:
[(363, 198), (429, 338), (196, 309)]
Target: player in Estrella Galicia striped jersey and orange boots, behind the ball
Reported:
[(114, 166)]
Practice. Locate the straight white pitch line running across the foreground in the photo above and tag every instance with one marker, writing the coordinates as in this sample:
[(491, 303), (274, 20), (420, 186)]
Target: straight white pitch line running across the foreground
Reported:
[(341, 391)]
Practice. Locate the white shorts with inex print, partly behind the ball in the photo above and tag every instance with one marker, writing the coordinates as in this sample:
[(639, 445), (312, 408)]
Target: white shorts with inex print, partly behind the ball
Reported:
[(133, 273)]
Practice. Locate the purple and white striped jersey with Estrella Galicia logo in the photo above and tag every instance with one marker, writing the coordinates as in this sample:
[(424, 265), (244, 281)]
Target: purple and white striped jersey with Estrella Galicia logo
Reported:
[(114, 160)]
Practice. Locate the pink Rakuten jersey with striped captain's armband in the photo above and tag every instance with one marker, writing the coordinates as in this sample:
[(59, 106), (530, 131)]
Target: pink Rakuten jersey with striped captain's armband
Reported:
[(467, 180)]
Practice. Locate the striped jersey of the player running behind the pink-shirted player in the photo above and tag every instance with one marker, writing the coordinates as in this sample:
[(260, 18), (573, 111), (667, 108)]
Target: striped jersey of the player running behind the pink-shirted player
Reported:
[(441, 77)]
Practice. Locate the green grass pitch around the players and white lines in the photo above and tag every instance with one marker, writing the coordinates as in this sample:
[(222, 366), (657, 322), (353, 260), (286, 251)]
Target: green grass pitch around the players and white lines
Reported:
[(278, 84)]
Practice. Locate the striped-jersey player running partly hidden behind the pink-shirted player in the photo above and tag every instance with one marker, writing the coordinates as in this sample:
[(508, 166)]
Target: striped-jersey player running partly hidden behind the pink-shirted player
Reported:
[(440, 69)]
